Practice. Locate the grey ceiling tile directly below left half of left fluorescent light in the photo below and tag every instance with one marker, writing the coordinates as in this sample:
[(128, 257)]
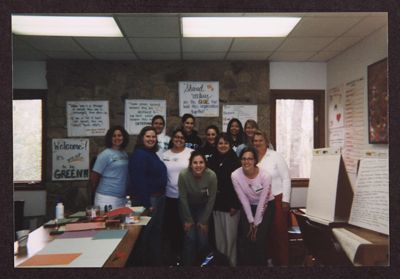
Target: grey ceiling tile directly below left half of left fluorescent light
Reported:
[(52, 43)]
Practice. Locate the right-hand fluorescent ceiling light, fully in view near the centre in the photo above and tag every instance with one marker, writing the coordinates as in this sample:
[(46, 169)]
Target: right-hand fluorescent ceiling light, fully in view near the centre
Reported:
[(238, 26)]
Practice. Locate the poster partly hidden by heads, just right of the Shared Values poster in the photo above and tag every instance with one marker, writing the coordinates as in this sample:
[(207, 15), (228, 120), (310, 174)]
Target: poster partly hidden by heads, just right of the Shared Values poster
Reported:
[(241, 112)]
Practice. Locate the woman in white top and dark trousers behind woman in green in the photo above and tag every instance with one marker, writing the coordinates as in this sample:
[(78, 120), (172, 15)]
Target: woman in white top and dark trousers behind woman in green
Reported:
[(176, 158)]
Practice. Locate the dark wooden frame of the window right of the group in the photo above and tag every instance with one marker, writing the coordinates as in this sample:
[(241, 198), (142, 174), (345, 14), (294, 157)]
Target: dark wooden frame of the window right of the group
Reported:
[(318, 96)]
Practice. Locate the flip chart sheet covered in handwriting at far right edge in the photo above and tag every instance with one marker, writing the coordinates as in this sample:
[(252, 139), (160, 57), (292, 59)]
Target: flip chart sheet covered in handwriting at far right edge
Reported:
[(370, 207)]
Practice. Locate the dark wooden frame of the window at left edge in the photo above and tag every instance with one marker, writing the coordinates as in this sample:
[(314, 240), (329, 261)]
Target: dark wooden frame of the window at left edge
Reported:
[(34, 94)]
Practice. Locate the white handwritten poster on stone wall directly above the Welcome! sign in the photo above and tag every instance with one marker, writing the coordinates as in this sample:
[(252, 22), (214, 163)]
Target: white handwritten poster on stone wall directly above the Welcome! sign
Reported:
[(87, 118)]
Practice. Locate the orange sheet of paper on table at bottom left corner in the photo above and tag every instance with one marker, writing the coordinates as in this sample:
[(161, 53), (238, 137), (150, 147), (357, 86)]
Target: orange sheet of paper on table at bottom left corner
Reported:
[(50, 259)]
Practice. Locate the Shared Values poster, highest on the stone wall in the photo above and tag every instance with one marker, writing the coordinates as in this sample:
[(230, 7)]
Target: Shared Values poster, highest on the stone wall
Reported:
[(200, 98)]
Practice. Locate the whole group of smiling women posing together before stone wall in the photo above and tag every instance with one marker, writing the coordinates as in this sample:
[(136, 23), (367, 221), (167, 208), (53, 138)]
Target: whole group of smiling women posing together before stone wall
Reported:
[(230, 193)]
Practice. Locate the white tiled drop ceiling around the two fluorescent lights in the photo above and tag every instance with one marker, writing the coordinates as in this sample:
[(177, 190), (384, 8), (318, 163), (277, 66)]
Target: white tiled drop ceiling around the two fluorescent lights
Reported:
[(318, 37)]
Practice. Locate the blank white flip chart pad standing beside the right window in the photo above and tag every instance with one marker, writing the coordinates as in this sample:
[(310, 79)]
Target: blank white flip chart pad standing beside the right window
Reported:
[(322, 189)]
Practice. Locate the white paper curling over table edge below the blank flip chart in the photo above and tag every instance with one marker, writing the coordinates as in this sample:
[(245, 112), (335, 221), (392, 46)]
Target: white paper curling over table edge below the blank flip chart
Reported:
[(349, 241)]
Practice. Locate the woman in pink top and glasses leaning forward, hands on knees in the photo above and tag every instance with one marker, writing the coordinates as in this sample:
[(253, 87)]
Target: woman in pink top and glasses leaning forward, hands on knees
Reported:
[(253, 188)]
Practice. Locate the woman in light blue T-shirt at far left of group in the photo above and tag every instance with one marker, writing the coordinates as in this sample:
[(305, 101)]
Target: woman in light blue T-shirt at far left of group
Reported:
[(110, 171)]
